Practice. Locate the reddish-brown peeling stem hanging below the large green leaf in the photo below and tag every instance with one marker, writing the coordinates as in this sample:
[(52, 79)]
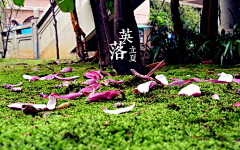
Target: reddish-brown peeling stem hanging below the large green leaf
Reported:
[(81, 46)]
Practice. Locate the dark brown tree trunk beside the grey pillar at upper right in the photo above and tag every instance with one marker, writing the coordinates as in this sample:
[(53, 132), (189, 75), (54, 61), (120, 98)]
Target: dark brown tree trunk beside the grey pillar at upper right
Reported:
[(209, 19)]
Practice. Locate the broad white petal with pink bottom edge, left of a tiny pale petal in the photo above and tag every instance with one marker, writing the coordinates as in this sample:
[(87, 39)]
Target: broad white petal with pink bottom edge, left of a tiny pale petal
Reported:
[(190, 90)]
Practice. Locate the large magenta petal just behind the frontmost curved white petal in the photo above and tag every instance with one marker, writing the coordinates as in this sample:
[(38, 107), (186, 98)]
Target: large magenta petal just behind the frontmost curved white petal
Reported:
[(105, 95)]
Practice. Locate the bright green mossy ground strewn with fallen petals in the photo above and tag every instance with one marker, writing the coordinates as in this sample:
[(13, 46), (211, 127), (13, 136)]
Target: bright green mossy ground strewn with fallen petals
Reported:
[(166, 119)]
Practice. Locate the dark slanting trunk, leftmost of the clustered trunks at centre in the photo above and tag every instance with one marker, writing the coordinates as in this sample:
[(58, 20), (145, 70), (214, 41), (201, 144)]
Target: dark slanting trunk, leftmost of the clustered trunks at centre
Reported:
[(101, 34)]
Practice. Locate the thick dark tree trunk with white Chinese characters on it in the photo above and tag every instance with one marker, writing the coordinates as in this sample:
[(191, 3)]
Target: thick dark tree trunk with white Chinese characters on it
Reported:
[(125, 51)]
